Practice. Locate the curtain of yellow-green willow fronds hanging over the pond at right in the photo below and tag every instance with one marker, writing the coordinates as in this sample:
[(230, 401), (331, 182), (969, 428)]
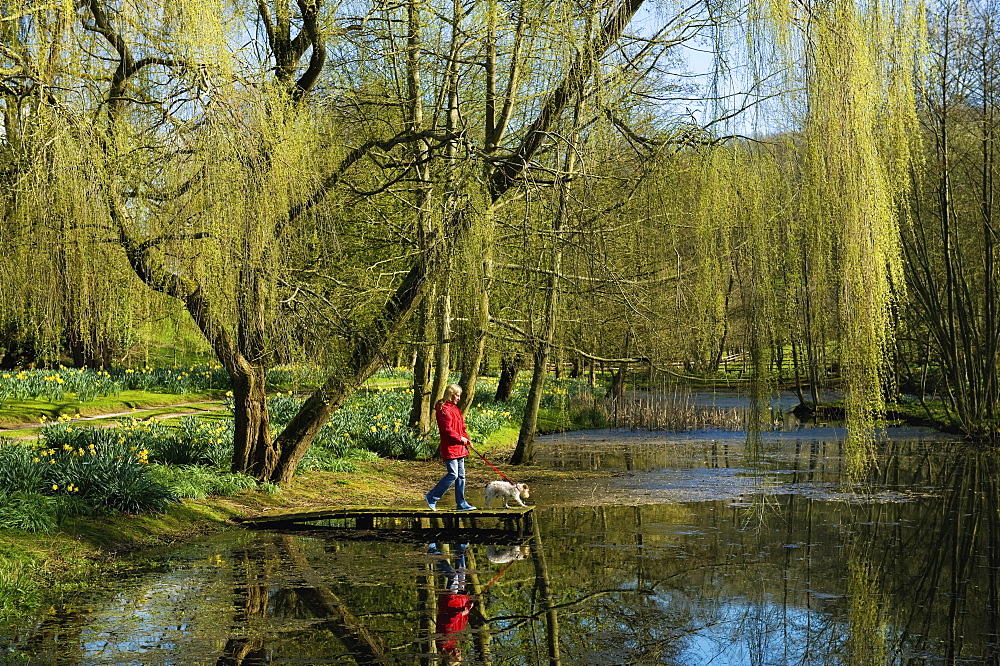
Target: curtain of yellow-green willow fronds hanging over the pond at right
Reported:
[(807, 219)]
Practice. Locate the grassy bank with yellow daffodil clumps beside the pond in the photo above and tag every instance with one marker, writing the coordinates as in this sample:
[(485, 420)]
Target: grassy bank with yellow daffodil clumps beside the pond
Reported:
[(364, 456)]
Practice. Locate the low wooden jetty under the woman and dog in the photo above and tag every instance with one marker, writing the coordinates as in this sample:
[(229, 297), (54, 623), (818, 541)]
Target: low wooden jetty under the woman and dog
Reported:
[(517, 519)]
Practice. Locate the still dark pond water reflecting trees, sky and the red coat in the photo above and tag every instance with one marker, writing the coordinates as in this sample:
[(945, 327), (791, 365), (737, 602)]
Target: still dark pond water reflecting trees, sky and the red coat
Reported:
[(700, 551)]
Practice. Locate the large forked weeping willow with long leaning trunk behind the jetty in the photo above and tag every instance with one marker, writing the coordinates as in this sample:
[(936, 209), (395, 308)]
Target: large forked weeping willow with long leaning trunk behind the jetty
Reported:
[(210, 154)]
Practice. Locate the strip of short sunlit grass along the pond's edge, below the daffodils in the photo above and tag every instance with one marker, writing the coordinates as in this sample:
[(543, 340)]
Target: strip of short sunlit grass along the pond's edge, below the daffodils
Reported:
[(42, 570)]
